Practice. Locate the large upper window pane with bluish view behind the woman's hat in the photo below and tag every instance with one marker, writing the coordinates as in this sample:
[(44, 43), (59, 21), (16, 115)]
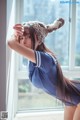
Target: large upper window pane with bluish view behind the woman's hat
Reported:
[(35, 10)]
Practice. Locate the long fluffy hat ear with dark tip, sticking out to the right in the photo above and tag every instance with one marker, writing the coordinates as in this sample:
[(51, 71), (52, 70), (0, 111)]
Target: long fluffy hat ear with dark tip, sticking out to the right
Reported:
[(55, 25)]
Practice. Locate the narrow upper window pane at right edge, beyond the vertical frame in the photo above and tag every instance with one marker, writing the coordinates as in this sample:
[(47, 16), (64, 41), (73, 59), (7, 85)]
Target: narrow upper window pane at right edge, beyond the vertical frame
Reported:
[(77, 55)]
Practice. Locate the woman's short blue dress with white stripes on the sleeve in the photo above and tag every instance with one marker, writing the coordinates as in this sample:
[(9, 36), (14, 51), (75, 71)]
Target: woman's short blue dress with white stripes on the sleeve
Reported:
[(43, 74)]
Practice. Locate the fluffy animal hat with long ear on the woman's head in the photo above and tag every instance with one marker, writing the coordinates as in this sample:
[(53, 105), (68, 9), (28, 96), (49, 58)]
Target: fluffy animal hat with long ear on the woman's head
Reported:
[(41, 29)]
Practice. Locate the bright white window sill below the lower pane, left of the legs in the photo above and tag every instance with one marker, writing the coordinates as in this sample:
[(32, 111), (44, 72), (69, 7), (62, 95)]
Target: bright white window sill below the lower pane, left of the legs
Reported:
[(55, 115)]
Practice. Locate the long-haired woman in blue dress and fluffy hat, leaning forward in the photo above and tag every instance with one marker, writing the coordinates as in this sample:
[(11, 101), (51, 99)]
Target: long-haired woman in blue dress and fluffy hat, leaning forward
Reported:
[(44, 69)]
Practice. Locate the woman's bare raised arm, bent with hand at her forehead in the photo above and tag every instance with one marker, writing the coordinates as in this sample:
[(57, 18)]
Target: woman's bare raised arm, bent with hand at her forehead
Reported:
[(14, 44)]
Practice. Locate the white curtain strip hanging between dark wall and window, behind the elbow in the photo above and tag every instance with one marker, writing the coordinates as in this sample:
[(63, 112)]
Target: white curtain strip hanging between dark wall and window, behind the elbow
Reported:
[(10, 61)]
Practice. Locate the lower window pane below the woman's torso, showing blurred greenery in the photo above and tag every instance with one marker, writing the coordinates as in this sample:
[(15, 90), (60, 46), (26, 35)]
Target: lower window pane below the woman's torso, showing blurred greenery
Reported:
[(28, 95)]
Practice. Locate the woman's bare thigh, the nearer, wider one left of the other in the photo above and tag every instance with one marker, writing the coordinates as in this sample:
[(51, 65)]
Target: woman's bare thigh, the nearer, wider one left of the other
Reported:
[(69, 112)]
